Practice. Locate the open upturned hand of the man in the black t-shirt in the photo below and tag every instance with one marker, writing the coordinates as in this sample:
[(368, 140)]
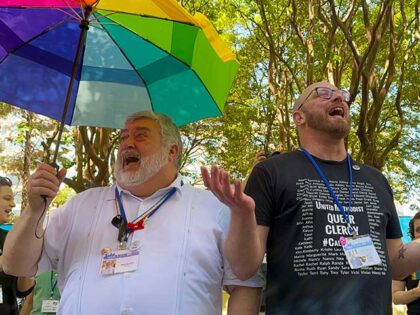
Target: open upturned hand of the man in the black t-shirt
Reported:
[(218, 182)]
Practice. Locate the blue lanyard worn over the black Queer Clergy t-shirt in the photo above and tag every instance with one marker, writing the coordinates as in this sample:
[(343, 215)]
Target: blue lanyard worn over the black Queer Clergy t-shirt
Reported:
[(331, 191)]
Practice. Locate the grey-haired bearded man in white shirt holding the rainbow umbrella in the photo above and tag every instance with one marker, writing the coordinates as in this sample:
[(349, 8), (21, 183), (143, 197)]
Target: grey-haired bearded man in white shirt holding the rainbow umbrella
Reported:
[(150, 244)]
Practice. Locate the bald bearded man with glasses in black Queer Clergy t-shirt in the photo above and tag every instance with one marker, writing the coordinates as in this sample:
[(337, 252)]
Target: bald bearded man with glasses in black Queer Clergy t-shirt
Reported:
[(303, 207)]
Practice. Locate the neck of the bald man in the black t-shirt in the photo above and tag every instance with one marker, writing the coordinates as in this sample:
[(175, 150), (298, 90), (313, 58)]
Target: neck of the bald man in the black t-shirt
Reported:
[(325, 149)]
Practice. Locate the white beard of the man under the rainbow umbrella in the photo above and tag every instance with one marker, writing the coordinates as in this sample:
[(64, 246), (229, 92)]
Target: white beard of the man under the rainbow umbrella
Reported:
[(149, 166)]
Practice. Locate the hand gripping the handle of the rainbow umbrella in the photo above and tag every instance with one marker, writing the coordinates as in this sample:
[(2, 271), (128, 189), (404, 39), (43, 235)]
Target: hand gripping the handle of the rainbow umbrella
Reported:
[(44, 182)]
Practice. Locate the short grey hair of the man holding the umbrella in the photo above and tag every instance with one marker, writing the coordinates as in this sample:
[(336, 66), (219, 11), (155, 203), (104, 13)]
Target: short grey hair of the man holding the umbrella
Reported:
[(168, 130)]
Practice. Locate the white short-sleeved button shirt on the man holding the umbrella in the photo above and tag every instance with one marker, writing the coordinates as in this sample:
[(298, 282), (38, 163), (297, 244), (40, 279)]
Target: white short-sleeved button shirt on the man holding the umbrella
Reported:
[(181, 265)]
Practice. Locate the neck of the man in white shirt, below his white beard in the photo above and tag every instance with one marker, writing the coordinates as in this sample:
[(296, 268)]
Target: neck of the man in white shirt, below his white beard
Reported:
[(160, 180)]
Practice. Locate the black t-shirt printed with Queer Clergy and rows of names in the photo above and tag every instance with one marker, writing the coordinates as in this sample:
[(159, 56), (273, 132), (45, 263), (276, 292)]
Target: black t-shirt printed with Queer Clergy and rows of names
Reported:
[(307, 271)]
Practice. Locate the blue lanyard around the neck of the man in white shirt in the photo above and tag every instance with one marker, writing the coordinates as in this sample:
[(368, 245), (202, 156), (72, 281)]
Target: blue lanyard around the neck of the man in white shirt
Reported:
[(139, 221)]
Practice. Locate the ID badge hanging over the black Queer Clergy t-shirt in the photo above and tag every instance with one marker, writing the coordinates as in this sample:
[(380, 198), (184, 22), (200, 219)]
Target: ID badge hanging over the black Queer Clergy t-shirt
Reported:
[(360, 251)]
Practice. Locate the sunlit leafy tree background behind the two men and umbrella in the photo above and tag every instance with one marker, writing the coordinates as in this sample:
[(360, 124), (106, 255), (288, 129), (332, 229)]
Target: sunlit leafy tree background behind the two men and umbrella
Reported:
[(367, 47)]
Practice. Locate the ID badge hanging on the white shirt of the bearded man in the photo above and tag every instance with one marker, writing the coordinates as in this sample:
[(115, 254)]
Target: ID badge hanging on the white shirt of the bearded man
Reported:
[(119, 261)]
